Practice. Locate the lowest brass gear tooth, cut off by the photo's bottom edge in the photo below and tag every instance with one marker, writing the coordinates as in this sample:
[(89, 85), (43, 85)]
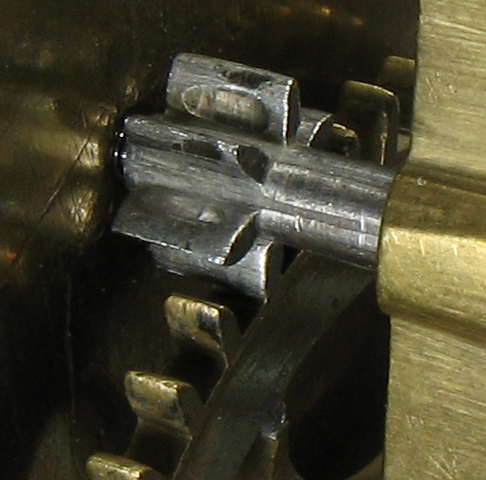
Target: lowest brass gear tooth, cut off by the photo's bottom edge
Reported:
[(104, 466)]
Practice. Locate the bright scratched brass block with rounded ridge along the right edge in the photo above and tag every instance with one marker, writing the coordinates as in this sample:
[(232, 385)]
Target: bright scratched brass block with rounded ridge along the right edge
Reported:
[(431, 274)]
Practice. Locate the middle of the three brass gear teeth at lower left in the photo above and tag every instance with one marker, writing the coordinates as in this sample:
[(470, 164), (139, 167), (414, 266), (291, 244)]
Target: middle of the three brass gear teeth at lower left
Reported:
[(164, 403)]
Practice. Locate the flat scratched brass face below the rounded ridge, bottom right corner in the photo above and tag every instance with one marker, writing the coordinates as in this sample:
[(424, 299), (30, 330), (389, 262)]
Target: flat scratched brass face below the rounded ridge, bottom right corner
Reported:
[(437, 416)]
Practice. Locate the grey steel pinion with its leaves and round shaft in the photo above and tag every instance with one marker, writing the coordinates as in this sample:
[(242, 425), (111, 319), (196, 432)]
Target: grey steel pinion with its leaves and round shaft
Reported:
[(291, 195)]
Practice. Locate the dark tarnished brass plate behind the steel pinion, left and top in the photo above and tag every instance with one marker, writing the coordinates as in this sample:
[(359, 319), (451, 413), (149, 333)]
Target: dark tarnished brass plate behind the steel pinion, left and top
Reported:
[(77, 302)]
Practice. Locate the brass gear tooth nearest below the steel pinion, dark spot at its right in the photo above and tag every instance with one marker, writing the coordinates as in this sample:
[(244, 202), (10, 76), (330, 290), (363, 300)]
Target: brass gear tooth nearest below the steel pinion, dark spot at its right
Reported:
[(211, 327)]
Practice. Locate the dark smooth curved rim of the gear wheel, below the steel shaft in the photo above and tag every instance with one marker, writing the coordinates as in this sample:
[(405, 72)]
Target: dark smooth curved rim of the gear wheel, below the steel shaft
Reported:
[(275, 348)]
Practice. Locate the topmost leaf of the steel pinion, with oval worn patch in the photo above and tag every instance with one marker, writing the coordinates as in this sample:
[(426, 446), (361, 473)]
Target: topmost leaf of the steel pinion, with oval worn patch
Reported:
[(251, 99)]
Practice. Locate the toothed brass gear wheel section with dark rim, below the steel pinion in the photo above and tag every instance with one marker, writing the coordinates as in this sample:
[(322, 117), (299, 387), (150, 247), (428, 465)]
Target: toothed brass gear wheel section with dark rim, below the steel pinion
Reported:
[(241, 430)]
